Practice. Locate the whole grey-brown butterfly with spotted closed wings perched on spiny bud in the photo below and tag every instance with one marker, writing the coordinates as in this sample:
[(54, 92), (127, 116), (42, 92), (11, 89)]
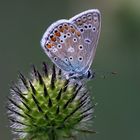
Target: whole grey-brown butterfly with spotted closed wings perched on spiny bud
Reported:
[(71, 44)]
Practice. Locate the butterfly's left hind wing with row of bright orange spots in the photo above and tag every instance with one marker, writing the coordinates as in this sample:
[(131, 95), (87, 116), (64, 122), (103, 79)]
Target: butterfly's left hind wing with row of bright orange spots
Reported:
[(61, 43)]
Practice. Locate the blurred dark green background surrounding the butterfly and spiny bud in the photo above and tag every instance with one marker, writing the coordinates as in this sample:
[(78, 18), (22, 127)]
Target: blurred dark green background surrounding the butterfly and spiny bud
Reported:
[(22, 23)]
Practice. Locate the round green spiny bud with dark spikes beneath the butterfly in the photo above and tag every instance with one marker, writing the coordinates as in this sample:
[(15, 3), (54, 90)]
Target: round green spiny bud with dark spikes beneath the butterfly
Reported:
[(49, 107)]
